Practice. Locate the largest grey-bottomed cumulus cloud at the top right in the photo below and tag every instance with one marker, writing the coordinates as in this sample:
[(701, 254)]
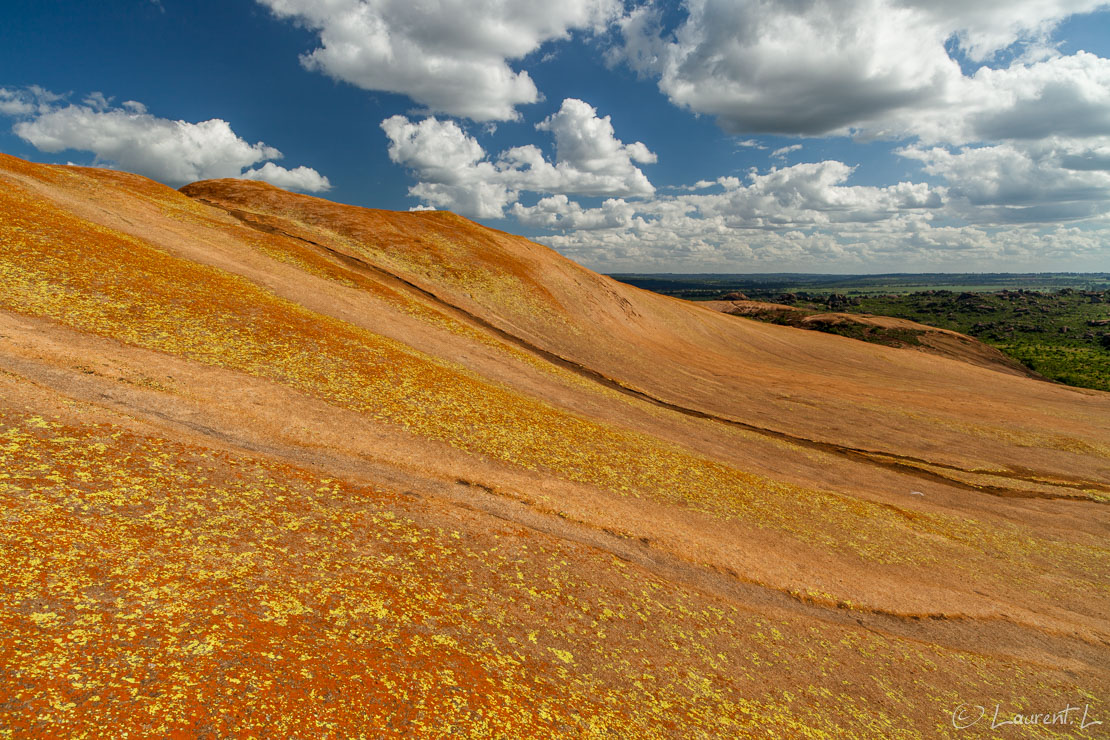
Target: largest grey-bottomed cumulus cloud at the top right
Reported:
[(821, 67)]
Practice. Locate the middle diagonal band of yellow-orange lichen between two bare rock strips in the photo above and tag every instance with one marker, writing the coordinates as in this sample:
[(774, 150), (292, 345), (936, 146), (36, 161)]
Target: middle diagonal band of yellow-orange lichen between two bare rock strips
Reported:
[(98, 280)]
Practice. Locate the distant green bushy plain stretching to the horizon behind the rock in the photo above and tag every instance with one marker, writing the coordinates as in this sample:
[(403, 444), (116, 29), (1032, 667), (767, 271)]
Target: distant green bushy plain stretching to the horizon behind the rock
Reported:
[(1055, 325)]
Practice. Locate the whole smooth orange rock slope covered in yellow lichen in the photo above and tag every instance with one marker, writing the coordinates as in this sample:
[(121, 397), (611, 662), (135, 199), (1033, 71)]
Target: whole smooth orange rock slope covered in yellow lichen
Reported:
[(274, 467)]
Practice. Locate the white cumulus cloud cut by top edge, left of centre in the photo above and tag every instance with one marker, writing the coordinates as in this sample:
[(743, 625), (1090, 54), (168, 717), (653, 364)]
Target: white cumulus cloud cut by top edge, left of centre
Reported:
[(450, 56)]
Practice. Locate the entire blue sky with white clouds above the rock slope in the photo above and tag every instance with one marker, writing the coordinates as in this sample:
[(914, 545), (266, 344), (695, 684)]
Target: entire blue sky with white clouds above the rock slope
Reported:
[(710, 136)]
